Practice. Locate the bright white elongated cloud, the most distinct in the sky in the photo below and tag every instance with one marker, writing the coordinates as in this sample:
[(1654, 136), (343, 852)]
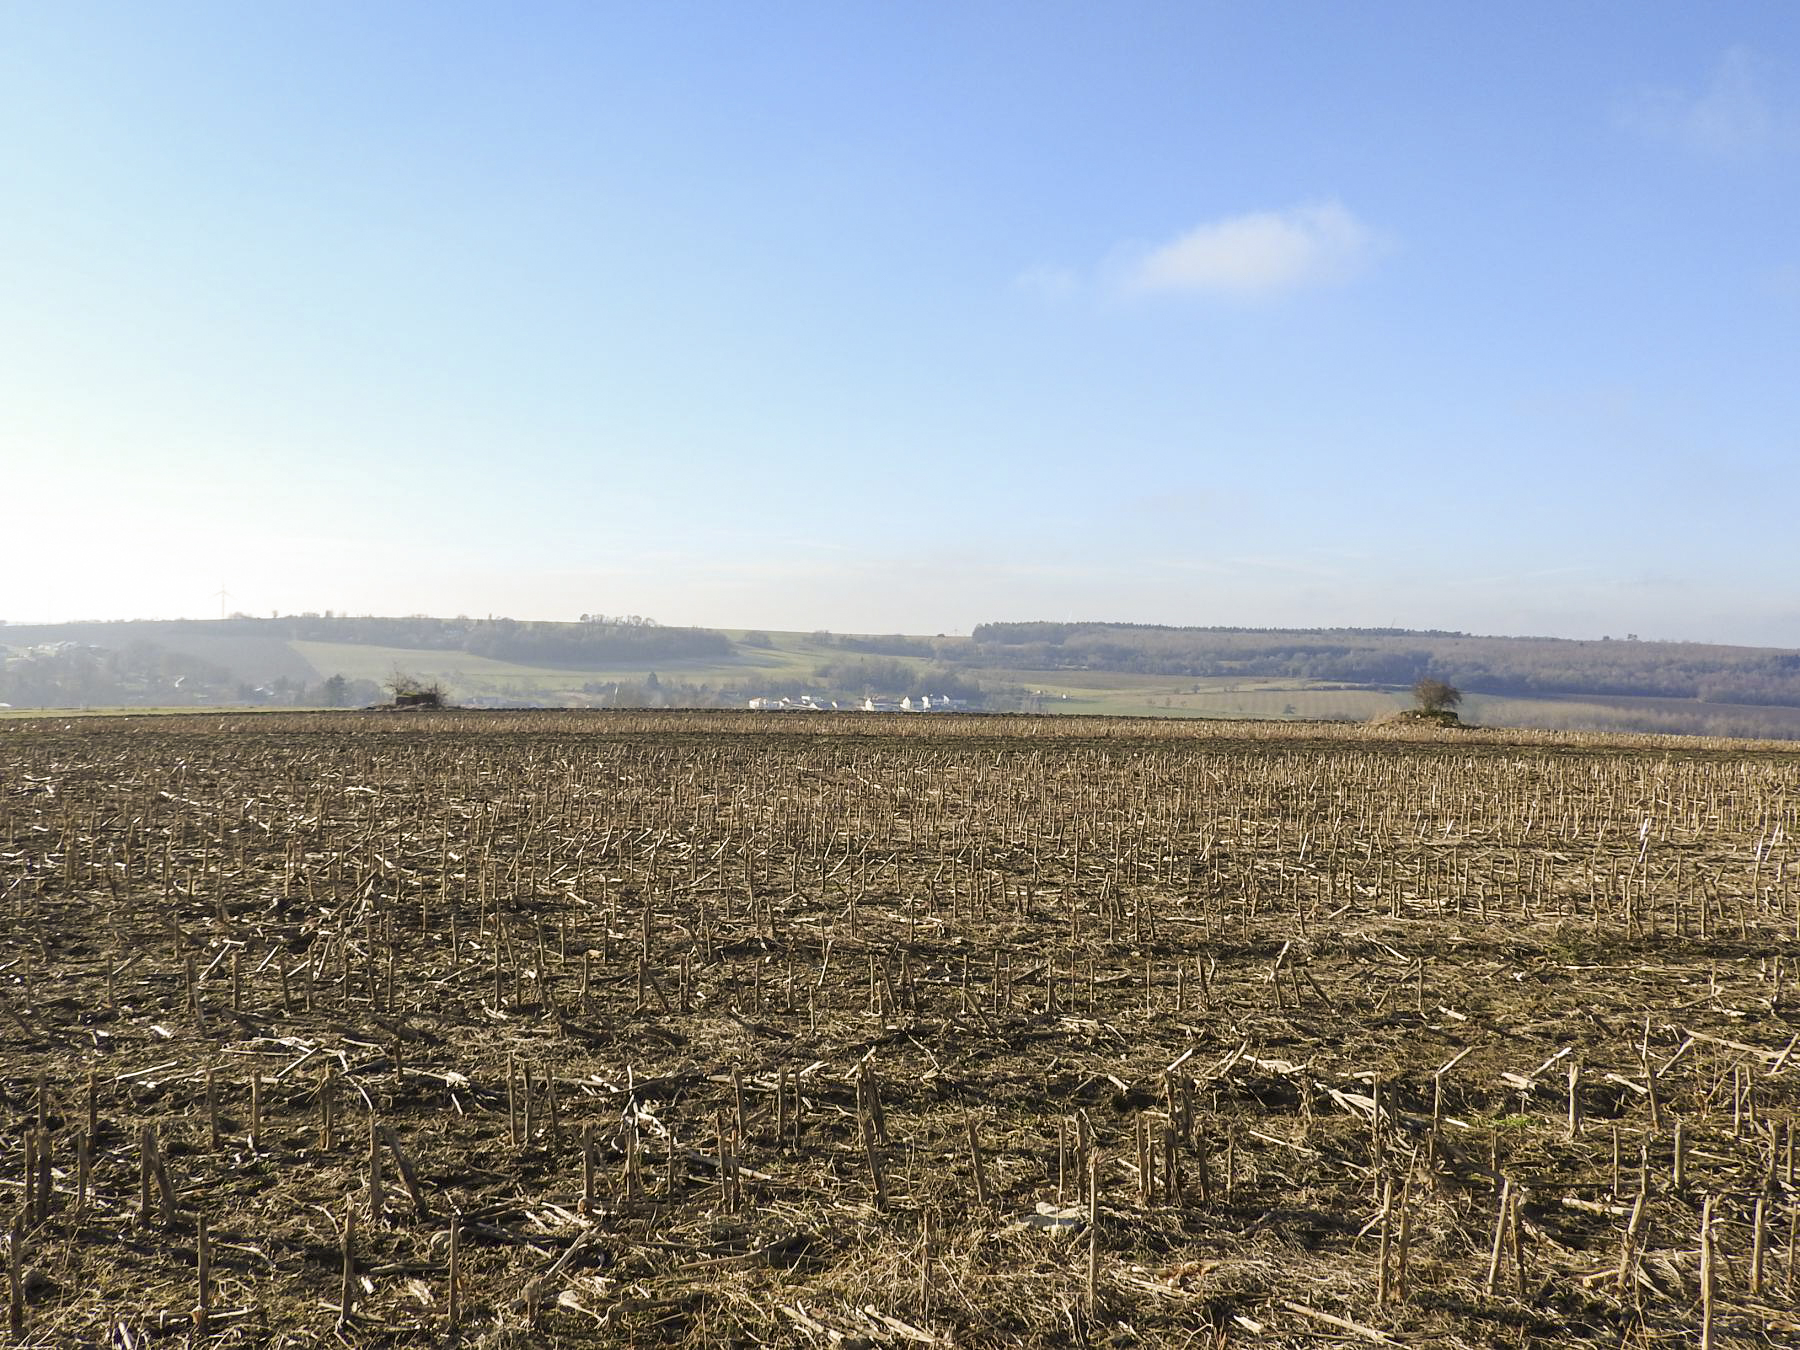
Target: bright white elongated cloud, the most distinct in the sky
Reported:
[(1259, 255)]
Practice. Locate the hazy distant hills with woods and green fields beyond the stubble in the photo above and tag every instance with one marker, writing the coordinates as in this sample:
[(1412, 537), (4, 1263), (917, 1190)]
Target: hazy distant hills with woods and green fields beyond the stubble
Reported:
[(1050, 669)]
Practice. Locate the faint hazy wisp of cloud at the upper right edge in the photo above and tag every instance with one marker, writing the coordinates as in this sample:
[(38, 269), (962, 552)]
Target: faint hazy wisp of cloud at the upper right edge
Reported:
[(1747, 109)]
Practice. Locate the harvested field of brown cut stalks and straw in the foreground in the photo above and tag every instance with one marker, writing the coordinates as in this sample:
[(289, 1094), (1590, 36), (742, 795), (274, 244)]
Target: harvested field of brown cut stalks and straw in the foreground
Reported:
[(730, 1030)]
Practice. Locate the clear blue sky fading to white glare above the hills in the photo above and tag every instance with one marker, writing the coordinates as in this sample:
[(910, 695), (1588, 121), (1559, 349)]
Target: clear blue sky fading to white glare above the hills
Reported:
[(904, 318)]
